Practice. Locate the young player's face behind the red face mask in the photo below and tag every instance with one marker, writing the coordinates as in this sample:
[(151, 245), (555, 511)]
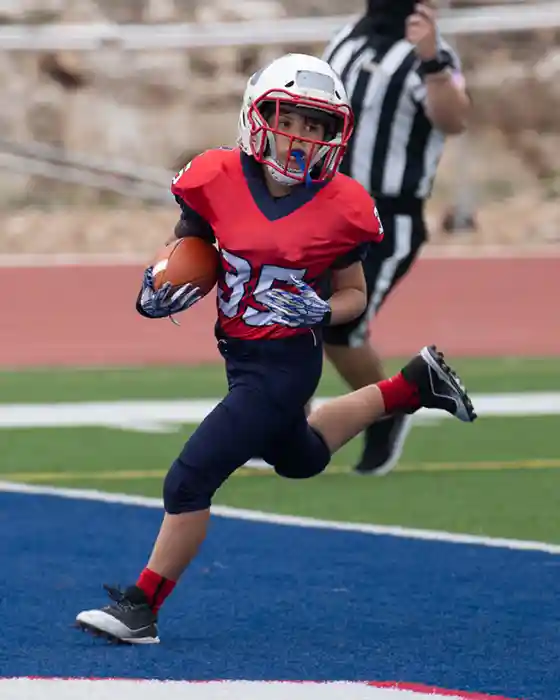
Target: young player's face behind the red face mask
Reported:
[(295, 128)]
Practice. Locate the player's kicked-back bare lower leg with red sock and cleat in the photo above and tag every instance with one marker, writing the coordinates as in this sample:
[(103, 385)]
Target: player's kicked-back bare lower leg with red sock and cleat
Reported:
[(426, 381)]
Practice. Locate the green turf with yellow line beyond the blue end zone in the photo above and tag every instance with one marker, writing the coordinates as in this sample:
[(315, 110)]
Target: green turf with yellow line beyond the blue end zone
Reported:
[(500, 476)]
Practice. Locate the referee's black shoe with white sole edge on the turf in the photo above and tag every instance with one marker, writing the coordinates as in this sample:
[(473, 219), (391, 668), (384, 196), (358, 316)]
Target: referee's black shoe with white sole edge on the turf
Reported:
[(384, 442)]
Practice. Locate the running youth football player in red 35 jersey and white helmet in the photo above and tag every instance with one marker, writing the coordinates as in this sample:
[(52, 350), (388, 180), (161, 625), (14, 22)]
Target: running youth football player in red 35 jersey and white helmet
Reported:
[(283, 218)]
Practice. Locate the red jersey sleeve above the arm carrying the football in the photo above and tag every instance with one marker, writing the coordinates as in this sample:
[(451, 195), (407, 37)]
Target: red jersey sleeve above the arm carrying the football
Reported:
[(190, 185)]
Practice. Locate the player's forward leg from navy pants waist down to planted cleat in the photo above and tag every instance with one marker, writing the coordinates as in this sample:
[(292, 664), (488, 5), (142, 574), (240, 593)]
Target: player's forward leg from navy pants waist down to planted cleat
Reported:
[(265, 395)]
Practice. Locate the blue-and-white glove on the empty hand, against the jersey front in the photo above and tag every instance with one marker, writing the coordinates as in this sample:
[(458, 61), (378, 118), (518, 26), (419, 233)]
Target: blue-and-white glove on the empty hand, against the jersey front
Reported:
[(295, 310)]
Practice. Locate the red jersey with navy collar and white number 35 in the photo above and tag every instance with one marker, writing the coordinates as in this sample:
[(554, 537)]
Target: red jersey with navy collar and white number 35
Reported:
[(263, 240)]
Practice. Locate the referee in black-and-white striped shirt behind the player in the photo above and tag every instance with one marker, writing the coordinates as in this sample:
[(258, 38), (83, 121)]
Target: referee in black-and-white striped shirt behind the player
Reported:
[(408, 94)]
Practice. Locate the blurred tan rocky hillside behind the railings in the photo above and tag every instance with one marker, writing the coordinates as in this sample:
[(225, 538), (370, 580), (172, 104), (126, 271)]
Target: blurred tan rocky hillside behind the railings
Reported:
[(157, 108)]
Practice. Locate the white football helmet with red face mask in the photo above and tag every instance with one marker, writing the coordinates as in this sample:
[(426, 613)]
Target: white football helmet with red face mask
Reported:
[(310, 86)]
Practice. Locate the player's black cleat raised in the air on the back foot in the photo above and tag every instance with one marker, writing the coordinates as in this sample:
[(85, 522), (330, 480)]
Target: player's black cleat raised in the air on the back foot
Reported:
[(438, 385)]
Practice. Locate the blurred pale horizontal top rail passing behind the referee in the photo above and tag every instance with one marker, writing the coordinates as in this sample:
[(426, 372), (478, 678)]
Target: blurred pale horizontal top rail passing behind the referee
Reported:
[(134, 37)]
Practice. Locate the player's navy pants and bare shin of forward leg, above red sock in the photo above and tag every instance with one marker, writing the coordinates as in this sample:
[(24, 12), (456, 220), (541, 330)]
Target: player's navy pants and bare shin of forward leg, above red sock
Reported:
[(269, 382)]
